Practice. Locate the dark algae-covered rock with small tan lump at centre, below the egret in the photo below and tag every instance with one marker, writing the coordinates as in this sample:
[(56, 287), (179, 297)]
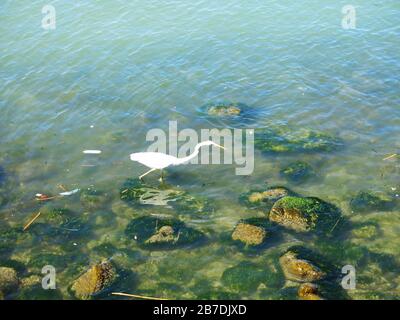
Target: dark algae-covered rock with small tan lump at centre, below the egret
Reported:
[(162, 233)]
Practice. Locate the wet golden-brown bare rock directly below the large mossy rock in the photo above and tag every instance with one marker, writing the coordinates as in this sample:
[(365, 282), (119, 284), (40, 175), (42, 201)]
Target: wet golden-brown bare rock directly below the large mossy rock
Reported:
[(300, 270)]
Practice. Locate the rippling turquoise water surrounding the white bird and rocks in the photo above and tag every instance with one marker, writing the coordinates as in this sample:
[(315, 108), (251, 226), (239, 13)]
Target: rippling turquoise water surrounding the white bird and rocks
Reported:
[(111, 71)]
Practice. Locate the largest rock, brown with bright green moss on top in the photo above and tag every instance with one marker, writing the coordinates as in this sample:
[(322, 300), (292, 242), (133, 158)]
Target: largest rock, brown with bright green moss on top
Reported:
[(304, 214)]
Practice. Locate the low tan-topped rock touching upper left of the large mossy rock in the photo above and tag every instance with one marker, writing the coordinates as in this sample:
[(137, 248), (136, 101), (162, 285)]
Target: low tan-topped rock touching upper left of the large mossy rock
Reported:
[(264, 197)]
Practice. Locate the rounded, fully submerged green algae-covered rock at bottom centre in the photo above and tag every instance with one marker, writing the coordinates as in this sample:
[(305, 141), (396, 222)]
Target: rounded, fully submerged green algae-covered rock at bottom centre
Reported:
[(244, 277)]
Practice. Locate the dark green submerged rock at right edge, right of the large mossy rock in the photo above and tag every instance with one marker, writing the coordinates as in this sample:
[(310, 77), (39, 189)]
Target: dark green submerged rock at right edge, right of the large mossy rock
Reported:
[(368, 201)]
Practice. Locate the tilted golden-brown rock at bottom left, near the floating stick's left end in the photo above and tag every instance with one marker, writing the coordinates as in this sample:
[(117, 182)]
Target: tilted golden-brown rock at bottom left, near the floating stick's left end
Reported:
[(93, 281)]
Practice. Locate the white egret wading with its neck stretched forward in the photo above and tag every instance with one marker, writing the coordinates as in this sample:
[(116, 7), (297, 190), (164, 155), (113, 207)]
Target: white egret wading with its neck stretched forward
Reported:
[(160, 161)]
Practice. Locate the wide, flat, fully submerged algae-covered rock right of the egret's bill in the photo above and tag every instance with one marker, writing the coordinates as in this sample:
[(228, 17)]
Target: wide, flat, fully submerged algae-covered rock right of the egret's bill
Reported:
[(303, 140)]
